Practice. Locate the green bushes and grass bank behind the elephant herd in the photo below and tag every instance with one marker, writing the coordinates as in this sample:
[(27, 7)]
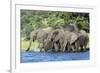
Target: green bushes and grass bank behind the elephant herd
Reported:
[(33, 19)]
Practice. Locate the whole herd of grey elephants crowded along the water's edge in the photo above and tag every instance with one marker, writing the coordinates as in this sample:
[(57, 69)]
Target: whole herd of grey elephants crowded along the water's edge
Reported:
[(67, 38)]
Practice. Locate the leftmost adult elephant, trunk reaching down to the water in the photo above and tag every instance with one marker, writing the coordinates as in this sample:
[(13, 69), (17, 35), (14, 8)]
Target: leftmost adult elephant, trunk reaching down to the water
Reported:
[(40, 35)]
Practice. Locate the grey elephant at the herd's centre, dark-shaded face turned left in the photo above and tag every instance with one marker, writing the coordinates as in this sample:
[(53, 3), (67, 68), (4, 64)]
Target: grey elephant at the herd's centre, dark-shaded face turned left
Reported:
[(58, 37)]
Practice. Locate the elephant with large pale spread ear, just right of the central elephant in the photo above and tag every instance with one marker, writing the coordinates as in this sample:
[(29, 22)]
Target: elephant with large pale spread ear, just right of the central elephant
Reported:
[(70, 38)]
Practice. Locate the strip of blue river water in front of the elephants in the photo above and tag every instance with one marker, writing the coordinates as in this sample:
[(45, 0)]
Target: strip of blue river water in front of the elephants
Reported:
[(26, 57)]
